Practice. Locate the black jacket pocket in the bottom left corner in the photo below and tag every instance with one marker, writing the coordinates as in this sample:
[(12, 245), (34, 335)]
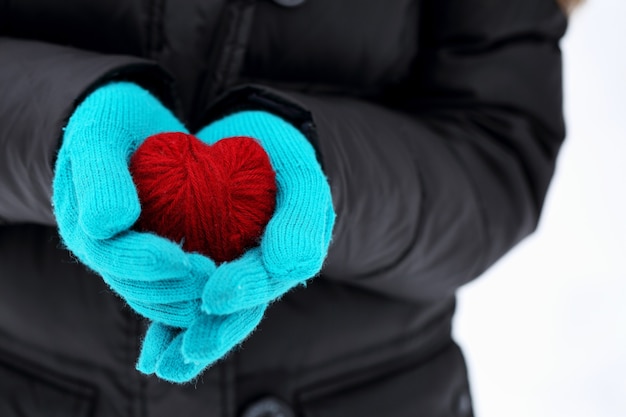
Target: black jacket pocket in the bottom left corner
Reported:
[(26, 389)]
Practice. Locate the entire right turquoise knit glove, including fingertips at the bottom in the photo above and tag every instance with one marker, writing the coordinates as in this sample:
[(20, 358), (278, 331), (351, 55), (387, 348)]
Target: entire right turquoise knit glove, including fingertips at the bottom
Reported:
[(292, 249)]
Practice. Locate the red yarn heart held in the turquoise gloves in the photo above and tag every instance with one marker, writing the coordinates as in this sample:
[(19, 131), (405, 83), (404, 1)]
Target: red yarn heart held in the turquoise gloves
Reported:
[(216, 199)]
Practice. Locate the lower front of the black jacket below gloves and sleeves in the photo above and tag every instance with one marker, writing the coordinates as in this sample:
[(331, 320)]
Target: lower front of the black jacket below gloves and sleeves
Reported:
[(325, 350)]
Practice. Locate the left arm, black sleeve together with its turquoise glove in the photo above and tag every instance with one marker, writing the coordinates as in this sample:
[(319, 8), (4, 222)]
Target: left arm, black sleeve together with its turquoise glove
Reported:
[(51, 93)]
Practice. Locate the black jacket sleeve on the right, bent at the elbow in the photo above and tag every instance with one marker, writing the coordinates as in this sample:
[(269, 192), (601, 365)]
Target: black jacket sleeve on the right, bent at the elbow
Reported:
[(433, 184)]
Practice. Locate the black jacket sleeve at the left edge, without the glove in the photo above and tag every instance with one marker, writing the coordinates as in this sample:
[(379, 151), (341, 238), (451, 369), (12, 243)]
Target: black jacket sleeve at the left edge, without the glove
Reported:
[(40, 85)]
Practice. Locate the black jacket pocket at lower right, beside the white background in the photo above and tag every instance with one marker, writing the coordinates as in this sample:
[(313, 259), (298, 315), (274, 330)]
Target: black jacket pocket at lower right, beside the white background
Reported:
[(437, 387)]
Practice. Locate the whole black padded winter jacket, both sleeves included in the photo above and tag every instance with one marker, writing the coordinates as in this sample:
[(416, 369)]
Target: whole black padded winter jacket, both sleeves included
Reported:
[(438, 123)]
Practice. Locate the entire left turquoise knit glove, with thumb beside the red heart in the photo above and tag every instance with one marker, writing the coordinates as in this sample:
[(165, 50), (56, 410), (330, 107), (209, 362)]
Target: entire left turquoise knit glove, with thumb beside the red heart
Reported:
[(95, 203)]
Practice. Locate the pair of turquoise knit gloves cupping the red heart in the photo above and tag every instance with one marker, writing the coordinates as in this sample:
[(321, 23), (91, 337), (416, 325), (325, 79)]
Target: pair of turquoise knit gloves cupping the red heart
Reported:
[(198, 310)]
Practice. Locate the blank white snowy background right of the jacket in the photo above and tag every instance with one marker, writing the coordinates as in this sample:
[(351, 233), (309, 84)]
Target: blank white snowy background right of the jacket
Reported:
[(544, 330)]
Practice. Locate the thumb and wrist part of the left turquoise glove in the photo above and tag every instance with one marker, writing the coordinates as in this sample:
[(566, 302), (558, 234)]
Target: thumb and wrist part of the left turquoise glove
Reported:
[(100, 136)]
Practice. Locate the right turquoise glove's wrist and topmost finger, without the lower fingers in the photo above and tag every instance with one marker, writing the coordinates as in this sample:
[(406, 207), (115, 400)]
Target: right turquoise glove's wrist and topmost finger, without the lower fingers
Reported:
[(296, 239)]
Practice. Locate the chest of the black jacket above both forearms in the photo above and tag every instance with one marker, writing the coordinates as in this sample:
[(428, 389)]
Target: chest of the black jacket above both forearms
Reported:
[(349, 47)]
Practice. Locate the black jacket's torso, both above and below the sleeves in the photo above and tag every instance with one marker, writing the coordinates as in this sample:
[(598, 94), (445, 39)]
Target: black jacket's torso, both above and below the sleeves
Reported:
[(325, 350)]
